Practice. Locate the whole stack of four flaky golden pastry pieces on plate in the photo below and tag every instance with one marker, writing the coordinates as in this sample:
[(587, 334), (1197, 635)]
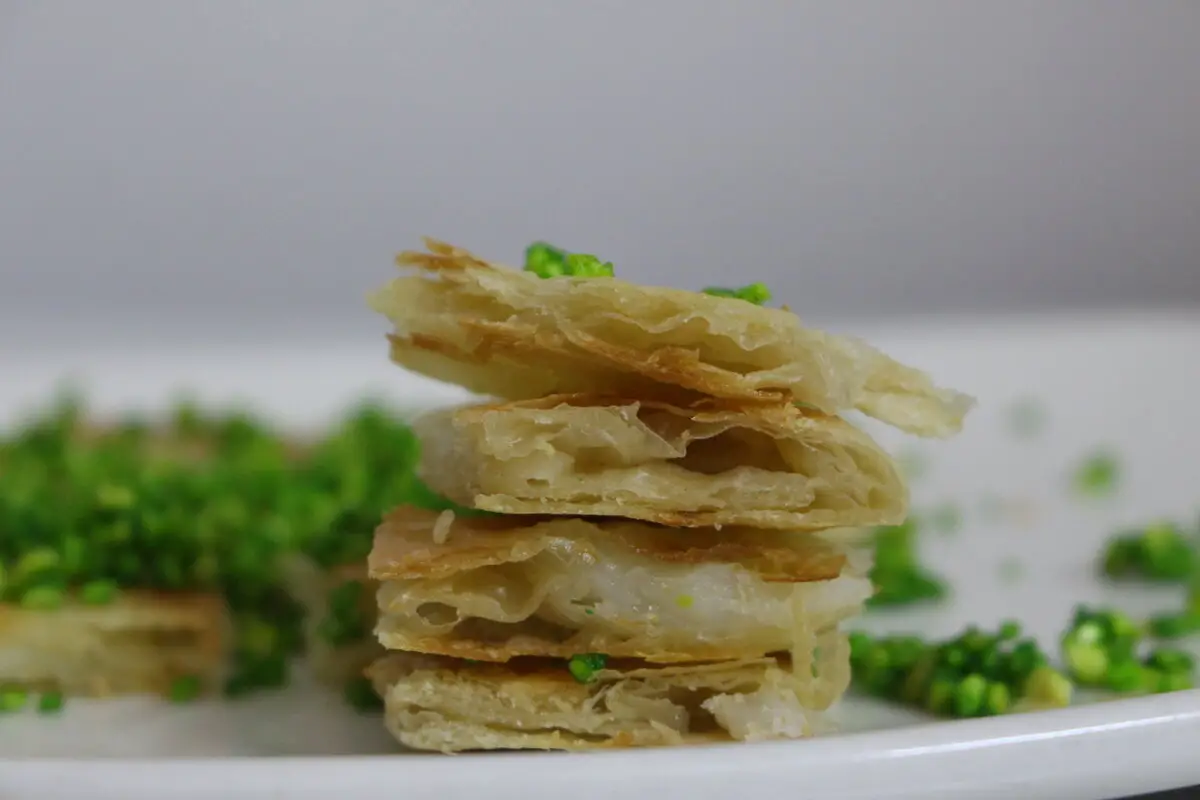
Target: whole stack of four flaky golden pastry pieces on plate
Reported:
[(671, 502)]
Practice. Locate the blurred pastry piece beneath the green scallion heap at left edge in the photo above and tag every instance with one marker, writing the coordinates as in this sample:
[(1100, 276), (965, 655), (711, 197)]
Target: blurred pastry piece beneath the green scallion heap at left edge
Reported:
[(141, 642)]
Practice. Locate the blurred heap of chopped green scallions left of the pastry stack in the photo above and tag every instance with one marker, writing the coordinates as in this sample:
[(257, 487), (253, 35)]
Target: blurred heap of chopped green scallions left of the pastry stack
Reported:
[(197, 503)]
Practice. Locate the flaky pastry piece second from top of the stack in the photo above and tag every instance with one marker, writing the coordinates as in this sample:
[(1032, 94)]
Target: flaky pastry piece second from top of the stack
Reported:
[(715, 464)]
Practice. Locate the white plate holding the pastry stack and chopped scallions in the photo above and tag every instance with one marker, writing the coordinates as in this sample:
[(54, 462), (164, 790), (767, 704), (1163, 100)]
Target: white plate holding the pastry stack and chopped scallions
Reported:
[(1127, 383)]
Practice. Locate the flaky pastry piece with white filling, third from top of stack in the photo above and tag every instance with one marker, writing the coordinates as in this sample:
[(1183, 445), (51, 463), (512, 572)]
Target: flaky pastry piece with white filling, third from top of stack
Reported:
[(497, 588)]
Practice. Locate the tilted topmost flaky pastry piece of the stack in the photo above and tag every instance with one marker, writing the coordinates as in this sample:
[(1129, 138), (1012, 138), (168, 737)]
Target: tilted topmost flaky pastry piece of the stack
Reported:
[(511, 334)]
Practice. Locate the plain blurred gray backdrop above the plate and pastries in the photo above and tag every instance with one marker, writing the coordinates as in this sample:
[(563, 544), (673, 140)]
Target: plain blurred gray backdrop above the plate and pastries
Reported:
[(248, 170)]
